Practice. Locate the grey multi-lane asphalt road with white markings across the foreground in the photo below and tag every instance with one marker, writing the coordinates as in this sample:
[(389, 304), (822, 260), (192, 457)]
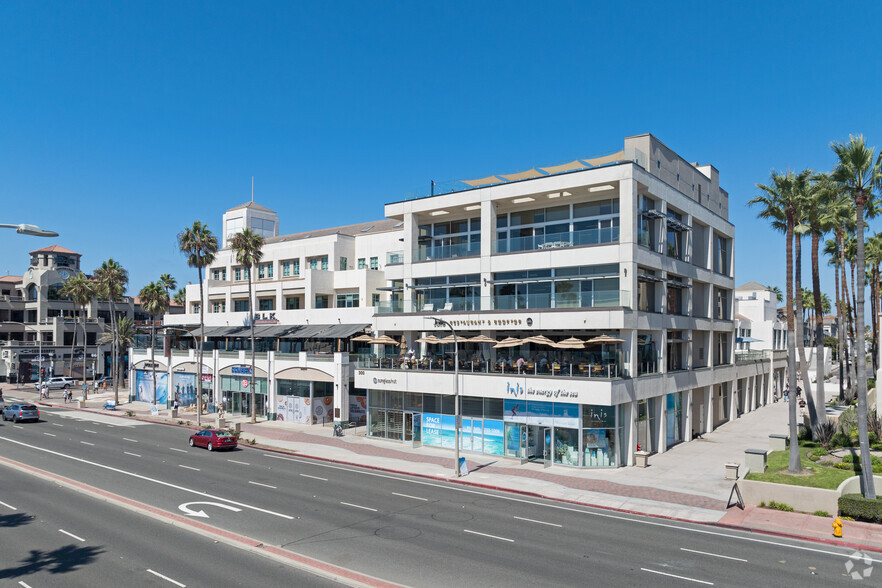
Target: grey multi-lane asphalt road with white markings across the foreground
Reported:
[(389, 527)]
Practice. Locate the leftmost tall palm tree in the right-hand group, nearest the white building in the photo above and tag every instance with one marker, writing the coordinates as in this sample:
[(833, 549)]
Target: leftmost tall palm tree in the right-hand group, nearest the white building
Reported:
[(779, 205)]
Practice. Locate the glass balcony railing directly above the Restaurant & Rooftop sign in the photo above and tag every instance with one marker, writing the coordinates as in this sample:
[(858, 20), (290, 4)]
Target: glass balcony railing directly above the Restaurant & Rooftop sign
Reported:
[(601, 299)]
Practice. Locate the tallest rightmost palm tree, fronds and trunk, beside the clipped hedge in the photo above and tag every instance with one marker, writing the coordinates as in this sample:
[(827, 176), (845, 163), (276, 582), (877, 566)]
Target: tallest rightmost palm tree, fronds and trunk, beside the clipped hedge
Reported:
[(859, 171)]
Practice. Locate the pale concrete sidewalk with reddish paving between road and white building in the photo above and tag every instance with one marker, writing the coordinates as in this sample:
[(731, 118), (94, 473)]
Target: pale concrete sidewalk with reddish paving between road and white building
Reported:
[(687, 482)]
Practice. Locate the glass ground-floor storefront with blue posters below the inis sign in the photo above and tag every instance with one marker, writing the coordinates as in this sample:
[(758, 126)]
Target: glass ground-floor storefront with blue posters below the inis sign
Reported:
[(564, 433)]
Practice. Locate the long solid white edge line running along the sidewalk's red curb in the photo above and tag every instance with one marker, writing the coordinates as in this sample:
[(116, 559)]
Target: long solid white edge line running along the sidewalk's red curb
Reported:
[(641, 521)]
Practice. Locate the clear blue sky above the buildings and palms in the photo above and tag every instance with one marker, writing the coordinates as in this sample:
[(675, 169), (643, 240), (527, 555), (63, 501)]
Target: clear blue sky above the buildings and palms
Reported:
[(122, 122)]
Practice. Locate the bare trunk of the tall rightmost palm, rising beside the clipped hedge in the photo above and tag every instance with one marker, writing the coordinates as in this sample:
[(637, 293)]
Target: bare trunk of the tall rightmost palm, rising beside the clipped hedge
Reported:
[(861, 358)]
